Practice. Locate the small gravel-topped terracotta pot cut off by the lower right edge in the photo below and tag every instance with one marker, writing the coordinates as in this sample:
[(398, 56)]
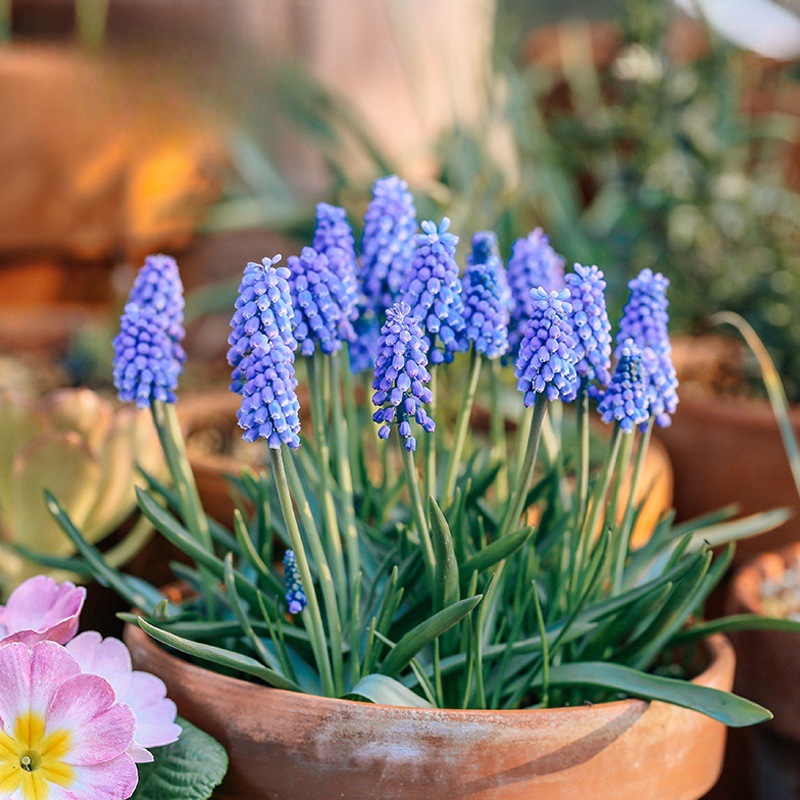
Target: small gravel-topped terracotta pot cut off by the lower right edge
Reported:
[(769, 666)]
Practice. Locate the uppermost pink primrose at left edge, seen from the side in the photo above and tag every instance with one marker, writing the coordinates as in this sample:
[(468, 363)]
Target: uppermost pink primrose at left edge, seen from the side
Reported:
[(40, 610)]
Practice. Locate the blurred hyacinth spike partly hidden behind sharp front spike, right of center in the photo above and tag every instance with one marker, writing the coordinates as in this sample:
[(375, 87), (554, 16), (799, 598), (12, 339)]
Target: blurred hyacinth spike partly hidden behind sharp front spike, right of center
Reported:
[(533, 263)]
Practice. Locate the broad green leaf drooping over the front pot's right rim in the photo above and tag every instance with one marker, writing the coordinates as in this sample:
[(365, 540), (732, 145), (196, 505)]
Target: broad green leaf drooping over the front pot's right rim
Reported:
[(725, 707)]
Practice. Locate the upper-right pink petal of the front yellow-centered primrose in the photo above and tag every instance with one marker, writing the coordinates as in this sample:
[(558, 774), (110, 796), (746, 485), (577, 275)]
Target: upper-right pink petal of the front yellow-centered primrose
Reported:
[(101, 729)]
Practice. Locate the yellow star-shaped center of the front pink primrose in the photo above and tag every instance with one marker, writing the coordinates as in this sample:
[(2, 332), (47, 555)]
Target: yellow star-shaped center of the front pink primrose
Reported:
[(32, 760)]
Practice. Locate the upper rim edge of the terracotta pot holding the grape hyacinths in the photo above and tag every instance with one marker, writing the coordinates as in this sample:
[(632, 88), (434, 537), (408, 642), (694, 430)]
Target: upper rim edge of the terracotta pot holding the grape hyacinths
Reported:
[(722, 660)]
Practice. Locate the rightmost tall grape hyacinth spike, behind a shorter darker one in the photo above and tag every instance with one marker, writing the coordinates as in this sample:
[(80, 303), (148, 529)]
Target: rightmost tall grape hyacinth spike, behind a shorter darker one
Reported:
[(645, 320)]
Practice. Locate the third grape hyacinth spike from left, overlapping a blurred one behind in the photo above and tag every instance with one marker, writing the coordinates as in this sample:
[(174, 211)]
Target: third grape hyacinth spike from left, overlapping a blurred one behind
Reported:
[(321, 307)]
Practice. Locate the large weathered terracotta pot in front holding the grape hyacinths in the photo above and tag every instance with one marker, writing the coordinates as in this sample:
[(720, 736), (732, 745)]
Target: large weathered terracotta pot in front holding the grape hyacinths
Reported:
[(290, 746)]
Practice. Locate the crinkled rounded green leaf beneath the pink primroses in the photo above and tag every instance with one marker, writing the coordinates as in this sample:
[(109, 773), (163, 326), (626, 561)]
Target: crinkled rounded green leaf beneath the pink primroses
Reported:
[(188, 769)]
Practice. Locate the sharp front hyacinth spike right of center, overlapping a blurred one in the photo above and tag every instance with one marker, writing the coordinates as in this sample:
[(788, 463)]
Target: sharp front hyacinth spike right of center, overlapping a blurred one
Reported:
[(546, 360)]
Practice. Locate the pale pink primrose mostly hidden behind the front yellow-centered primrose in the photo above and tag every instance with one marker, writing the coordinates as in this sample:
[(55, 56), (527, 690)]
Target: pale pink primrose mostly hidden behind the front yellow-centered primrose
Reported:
[(144, 693)]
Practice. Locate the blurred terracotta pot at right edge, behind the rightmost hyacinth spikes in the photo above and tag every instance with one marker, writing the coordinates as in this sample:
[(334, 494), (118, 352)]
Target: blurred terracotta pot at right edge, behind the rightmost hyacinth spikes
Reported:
[(728, 451)]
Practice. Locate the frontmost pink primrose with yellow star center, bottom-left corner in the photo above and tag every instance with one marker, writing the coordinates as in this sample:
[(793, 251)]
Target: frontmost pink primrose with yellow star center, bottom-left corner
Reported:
[(63, 735)]
